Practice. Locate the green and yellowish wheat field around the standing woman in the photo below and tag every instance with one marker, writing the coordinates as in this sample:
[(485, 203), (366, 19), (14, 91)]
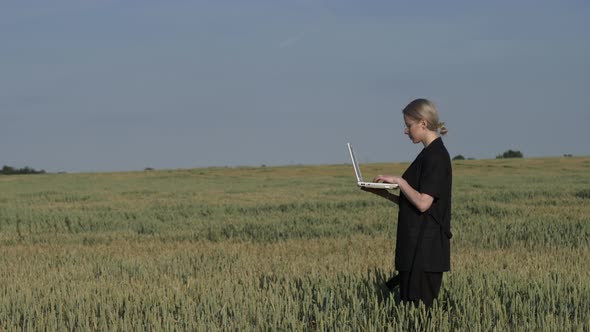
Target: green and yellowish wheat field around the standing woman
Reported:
[(288, 248)]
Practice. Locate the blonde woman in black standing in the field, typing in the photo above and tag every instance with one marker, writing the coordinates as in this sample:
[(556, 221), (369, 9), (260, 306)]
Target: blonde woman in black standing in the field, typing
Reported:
[(422, 250)]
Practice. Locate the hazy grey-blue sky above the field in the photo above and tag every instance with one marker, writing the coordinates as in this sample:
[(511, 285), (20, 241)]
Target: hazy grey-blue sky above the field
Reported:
[(91, 85)]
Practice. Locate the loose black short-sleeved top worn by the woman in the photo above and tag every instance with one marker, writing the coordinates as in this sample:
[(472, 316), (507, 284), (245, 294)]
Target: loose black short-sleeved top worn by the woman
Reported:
[(431, 174)]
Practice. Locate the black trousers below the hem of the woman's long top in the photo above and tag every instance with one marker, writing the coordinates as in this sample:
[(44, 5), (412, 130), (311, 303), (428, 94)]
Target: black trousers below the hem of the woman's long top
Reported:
[(419, 286)]
